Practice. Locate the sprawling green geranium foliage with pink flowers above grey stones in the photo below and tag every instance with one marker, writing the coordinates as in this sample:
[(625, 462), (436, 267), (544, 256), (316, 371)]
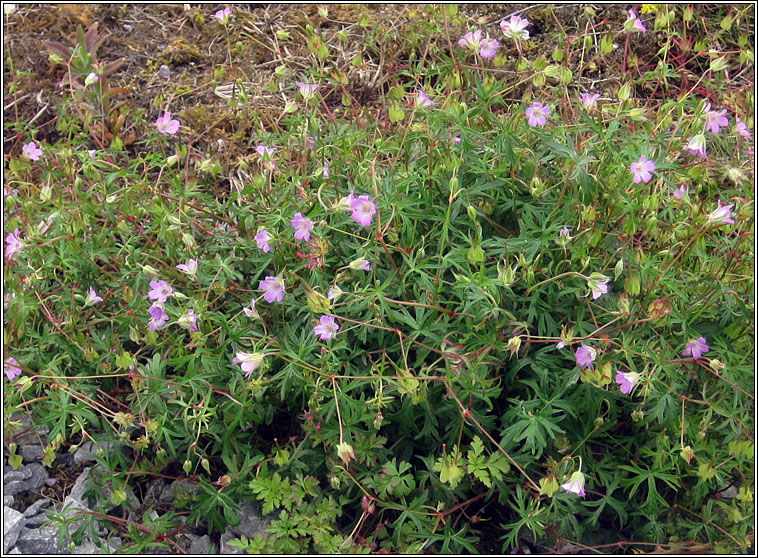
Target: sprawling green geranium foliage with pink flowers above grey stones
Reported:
[(511, 306)]
